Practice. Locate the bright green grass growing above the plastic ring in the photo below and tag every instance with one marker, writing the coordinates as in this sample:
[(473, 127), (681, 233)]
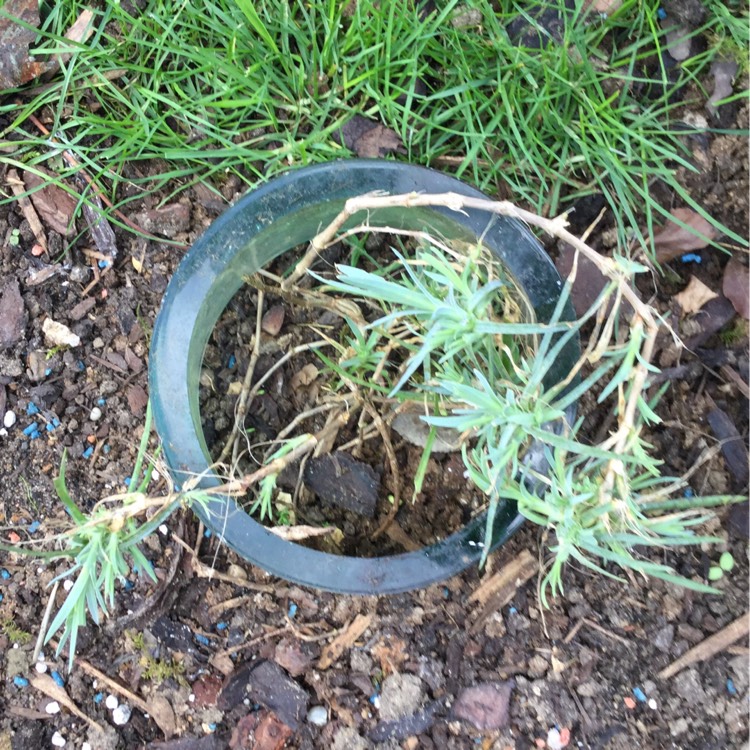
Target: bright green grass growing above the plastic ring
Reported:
[(189, 91)]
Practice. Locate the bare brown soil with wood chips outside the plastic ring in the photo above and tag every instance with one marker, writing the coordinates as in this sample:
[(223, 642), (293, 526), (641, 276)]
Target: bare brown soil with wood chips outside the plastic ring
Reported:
[(241, 659)]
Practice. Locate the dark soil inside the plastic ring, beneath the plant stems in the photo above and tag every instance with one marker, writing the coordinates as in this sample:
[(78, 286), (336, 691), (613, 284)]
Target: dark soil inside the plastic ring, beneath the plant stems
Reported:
[(351, 486)]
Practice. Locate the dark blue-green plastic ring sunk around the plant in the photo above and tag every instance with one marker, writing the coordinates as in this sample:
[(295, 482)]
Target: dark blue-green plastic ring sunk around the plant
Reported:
[(283, 214)]
